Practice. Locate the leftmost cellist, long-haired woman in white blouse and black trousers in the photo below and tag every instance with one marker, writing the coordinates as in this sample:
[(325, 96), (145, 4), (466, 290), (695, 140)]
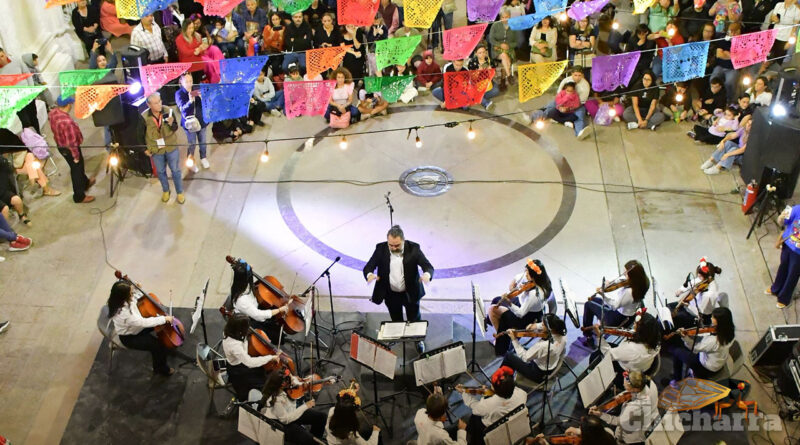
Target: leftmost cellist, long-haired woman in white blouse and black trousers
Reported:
[(135, 331)]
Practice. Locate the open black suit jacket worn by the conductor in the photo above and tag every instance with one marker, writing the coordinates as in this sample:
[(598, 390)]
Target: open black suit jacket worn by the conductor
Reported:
[(413, 259)]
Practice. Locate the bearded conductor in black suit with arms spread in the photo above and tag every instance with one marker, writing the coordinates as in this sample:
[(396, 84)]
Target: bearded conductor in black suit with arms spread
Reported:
[(399, 283)]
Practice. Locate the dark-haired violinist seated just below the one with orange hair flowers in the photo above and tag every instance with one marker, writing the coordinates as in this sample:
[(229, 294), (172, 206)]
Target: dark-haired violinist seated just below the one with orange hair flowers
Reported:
[(537, 362)]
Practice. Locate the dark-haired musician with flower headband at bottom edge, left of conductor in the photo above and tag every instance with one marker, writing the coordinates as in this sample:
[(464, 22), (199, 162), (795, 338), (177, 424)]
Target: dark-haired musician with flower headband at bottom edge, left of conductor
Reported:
[(342, 426)]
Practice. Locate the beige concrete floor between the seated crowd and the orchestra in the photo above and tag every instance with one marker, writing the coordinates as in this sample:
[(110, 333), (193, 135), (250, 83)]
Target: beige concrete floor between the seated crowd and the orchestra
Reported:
[(477, 231)]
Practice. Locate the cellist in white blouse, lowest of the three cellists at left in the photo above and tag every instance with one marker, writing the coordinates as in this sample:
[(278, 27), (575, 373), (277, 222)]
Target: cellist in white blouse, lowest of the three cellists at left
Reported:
[(245, 372)]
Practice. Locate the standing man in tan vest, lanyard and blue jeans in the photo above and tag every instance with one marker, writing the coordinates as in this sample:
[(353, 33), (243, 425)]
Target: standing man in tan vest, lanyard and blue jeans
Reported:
[(160, 128)]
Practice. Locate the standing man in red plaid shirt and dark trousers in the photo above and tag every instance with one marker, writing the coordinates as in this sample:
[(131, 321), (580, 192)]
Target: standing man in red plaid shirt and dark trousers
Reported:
[(69, 139)]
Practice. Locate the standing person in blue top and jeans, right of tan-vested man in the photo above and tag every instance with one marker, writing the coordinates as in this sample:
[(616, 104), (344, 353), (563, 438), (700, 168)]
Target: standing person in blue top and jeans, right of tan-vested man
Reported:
[(191, 106)]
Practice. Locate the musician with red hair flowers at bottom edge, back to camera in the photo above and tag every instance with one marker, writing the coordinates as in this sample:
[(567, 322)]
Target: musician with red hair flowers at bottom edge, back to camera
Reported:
[(487, 410)]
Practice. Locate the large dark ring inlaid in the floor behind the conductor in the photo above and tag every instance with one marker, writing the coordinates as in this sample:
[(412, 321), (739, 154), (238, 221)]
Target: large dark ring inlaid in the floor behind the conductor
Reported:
[(562, 215)]
